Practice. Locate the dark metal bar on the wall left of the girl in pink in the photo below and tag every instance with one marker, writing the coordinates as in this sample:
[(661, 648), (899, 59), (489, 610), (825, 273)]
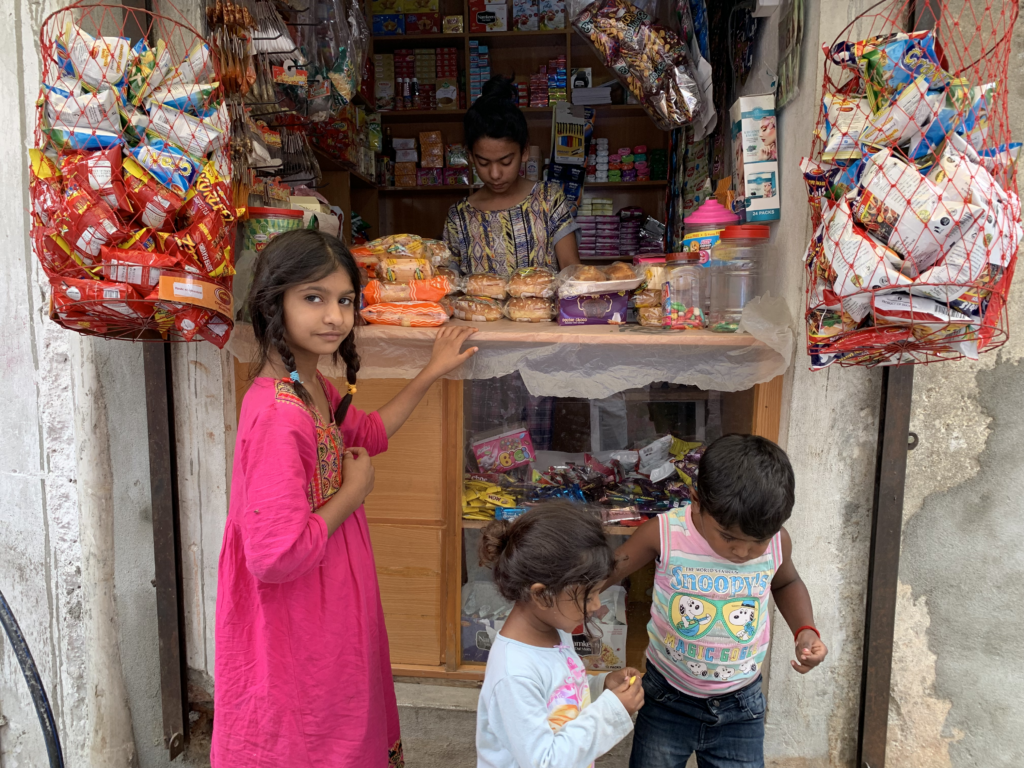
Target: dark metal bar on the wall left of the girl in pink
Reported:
[(166, 545)]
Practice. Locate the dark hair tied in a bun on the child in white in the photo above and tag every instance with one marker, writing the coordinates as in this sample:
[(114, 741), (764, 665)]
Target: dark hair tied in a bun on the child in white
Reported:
[(558, 544)]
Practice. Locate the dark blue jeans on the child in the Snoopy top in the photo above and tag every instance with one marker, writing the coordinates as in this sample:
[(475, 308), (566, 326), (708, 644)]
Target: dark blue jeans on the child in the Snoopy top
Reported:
[(726, 733)]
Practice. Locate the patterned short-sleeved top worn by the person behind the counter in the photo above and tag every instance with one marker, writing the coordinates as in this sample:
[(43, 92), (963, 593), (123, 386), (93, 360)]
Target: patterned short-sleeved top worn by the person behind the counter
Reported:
[(501, 242)]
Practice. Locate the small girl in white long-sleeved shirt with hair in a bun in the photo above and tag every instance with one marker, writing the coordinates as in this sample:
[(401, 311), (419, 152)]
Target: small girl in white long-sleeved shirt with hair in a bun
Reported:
[(538, 706)]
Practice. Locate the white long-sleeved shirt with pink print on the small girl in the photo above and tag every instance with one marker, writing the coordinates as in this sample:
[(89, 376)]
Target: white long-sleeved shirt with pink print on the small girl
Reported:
[(539, 709)]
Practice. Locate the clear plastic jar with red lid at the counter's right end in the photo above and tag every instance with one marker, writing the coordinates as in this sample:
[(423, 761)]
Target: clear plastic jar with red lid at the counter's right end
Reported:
[(736, 275)]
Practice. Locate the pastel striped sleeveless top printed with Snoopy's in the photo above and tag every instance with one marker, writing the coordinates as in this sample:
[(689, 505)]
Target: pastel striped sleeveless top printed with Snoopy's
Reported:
[(709, 625)]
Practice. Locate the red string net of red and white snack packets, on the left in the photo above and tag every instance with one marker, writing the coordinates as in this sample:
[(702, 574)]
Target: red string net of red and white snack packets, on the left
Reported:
[(133, 218)]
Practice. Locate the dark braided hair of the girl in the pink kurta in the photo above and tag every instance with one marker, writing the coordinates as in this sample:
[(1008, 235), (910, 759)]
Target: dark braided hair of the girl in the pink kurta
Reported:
[(292, 260)]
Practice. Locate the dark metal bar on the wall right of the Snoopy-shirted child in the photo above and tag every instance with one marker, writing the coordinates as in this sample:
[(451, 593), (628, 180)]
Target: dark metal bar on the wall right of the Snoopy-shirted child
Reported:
[(883, 569)]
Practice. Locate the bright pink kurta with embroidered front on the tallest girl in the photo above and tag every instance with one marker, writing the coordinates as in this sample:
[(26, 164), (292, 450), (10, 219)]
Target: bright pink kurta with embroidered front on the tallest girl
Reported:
[(303, 671)]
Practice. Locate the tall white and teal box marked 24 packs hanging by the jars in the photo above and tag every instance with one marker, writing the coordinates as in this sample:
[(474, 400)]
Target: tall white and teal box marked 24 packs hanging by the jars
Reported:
[(755, 157)]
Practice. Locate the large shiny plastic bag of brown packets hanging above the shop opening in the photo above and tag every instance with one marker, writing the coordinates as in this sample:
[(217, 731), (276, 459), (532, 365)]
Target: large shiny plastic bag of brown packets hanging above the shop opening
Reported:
[(649, 60)]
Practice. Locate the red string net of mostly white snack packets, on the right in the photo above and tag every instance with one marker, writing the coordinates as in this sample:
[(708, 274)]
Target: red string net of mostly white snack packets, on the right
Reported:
[(913, 187)]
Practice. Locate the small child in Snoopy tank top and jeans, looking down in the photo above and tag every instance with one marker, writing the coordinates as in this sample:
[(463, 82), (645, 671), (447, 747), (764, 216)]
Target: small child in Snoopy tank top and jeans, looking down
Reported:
[(718, 561)]
